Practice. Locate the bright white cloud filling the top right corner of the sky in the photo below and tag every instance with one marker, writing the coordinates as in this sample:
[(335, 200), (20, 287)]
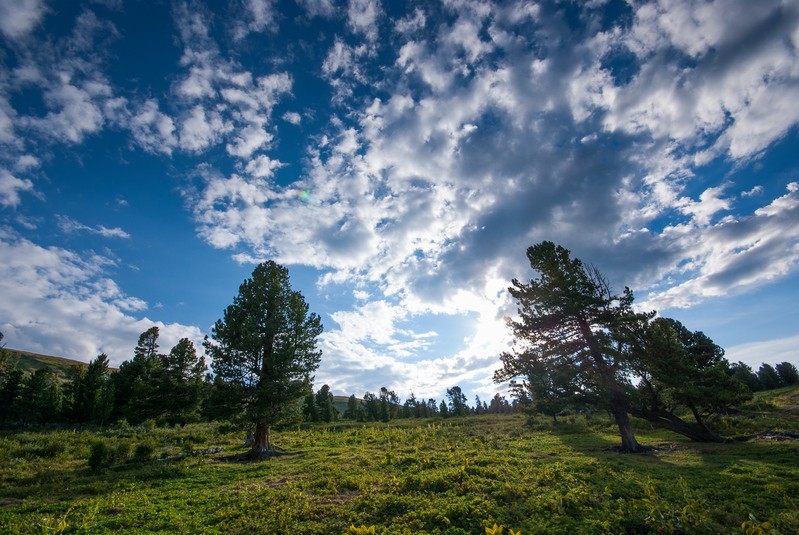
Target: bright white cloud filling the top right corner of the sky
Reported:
[(744, 72)]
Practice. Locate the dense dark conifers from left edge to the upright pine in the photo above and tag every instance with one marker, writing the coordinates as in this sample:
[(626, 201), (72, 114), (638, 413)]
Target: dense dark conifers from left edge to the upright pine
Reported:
[(168, 387)]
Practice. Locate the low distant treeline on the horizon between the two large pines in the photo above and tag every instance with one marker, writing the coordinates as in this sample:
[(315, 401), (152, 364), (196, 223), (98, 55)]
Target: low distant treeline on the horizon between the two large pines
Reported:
[(386, 406)]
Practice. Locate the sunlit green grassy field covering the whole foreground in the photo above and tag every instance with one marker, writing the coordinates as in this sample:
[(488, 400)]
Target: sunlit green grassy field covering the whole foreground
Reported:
[(452, 476)]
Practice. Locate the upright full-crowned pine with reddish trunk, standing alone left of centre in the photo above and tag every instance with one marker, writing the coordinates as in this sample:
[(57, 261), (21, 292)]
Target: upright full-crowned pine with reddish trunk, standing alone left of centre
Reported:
[(264, 354)]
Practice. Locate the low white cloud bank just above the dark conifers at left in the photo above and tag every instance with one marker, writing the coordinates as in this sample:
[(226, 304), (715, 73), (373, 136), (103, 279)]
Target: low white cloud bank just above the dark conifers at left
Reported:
[(62, 303)]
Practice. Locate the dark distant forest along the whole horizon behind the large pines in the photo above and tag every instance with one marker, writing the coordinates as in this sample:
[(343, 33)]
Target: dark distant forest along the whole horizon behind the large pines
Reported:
[(176, 388)]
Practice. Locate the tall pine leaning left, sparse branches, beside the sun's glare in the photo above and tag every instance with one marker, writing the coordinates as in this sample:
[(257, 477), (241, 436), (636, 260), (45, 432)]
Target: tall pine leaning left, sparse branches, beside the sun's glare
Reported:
[(566, 316)]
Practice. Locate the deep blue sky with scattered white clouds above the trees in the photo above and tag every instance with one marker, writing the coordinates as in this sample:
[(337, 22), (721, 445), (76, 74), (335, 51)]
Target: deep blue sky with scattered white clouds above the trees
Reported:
[(399, 158)]
